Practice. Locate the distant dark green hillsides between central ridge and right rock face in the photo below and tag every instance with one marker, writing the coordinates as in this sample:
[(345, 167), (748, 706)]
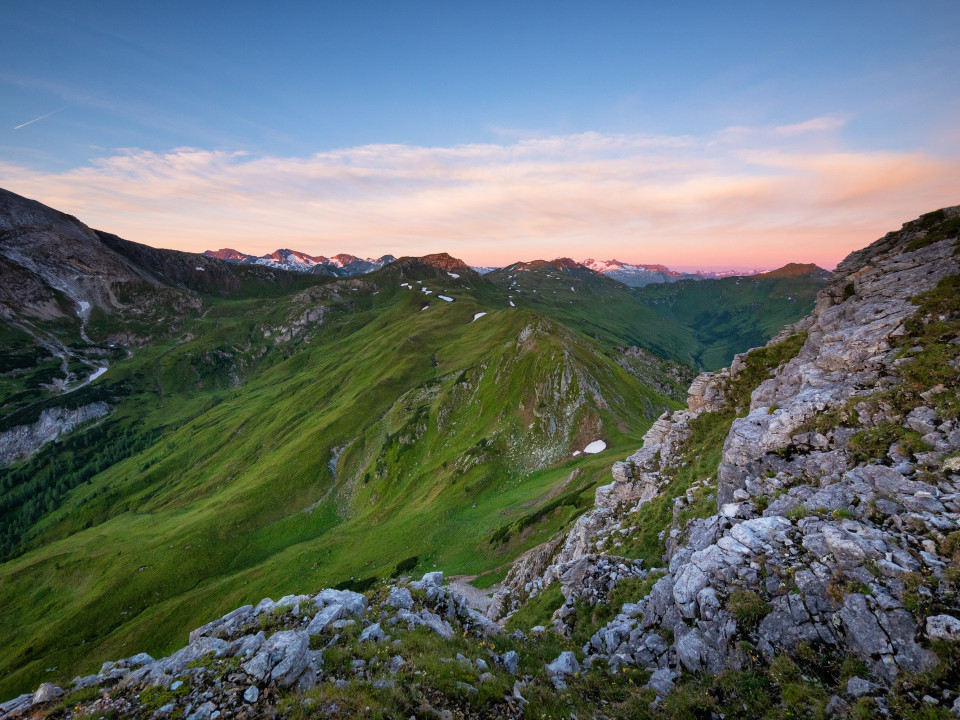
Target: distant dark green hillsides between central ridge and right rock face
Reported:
[(702, 323)]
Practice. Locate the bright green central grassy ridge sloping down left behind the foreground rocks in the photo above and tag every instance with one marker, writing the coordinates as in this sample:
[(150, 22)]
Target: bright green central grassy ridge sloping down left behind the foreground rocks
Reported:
[(448, 428)]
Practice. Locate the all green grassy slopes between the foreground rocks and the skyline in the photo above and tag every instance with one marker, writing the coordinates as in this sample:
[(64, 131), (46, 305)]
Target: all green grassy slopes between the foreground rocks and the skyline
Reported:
[(332, 433)]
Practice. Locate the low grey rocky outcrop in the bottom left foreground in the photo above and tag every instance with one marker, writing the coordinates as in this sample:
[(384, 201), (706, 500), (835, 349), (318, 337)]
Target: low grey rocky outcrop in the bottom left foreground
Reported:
[(237, 664)]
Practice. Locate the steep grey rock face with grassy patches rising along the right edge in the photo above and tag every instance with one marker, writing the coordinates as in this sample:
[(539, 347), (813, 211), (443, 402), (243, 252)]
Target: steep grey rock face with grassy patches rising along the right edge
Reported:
[(838, 495)]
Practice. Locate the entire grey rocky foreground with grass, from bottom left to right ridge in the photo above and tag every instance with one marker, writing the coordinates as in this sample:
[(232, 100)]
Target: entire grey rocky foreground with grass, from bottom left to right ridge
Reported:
[(787, 546)]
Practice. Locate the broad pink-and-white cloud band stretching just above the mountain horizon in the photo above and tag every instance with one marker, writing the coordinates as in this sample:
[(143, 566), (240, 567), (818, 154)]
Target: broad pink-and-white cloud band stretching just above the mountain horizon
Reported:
[(753, 197)]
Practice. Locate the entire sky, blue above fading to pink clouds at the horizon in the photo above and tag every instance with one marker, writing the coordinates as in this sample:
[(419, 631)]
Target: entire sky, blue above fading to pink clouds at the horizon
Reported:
[(700, 135)]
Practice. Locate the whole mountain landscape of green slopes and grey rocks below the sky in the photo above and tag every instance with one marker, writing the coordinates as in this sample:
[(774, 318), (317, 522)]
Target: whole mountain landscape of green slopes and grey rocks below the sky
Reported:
[(533, 492)]
